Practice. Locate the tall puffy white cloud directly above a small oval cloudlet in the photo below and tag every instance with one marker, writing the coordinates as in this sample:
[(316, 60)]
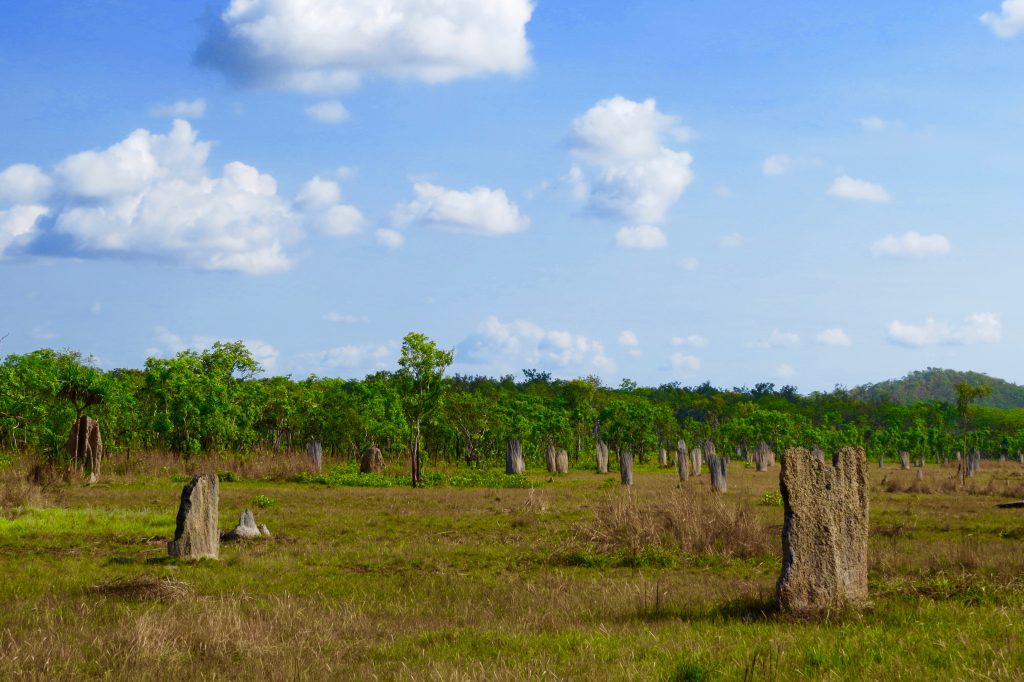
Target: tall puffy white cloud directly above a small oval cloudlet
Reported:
[(635, 177)]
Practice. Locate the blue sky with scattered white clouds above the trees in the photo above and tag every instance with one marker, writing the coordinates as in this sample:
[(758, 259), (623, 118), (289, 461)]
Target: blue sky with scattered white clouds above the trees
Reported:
[(792, 192)]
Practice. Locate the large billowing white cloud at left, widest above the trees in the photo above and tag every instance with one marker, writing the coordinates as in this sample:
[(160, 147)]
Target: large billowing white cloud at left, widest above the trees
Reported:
[(151, 194)]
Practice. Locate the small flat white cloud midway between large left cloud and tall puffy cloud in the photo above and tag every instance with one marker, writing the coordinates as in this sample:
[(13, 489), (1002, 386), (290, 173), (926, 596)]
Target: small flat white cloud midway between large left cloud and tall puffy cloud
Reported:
[(480, 211)]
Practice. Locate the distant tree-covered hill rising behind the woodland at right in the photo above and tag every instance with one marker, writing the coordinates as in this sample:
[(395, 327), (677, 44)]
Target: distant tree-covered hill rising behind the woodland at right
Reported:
[(935, 385)]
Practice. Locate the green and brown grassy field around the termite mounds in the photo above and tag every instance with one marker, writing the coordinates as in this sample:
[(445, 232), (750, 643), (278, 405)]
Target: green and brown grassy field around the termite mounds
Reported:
[(571, 579)]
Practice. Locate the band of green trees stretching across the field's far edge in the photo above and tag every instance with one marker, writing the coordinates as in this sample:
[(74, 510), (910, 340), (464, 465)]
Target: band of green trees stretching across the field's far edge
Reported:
[(216, 401)]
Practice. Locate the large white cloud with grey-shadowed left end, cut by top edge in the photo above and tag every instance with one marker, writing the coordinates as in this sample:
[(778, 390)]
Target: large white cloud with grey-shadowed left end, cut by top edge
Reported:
[(331, 46)]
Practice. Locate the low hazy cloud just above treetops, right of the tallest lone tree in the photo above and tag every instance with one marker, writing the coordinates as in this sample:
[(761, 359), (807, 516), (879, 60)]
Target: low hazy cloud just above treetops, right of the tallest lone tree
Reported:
[(511, 347)]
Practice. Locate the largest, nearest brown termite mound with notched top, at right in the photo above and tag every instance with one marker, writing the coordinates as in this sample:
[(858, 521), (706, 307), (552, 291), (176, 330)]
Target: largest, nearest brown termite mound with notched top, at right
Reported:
[(825, 537)]
